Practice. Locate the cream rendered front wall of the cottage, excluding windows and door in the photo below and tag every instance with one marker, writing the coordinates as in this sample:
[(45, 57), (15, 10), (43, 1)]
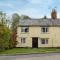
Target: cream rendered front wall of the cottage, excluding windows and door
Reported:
[(53, 37)]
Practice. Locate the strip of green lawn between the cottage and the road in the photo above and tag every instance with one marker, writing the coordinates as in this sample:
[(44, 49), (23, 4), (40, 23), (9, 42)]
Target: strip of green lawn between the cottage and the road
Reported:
[(30, 50)]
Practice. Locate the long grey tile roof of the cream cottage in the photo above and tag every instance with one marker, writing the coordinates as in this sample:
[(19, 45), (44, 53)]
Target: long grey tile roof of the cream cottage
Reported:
[(40, 22)]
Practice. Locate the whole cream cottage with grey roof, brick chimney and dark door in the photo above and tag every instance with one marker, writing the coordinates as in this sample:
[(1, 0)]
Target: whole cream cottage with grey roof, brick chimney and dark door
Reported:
[(36, 33)]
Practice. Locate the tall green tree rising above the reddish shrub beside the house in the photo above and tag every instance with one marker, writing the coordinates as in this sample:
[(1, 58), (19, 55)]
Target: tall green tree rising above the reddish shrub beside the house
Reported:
[(15, 21)]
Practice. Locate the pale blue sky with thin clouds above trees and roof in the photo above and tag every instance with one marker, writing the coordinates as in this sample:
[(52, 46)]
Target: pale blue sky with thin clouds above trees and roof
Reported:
[(32, 8)]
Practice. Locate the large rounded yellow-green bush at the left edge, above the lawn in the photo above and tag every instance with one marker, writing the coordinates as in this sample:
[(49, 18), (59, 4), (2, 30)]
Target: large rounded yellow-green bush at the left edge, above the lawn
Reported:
[(4, 37)]
